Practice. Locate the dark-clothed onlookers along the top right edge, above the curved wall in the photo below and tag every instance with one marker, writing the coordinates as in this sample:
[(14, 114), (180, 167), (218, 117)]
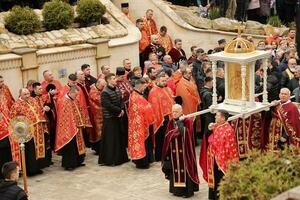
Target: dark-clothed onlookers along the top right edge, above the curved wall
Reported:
[(243, 10)]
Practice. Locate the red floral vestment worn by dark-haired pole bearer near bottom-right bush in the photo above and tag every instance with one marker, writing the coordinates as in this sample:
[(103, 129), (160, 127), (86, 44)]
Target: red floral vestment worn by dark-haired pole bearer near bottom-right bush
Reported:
[(222, 149)]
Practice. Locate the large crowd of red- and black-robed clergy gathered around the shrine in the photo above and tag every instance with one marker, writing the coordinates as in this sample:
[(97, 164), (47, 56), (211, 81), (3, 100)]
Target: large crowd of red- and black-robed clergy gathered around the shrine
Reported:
[(139, 112)]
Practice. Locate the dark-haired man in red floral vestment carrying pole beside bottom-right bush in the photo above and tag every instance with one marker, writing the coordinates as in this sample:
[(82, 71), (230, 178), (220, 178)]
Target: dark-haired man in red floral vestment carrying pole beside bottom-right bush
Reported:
[(221, 151)]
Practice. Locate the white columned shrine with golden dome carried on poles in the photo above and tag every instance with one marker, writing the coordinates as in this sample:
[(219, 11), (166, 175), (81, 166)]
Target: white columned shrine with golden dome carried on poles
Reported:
[(239, 57)]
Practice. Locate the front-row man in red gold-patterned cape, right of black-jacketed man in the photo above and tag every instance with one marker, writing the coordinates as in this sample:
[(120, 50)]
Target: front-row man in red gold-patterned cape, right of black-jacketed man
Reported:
[(140, 119)]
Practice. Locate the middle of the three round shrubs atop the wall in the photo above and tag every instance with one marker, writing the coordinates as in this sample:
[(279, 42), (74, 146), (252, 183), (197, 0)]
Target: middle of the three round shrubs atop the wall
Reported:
[(57, 15)]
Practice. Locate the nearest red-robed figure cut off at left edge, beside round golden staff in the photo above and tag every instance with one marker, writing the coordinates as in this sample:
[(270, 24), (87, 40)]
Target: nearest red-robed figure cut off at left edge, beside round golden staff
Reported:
[(9, 147)]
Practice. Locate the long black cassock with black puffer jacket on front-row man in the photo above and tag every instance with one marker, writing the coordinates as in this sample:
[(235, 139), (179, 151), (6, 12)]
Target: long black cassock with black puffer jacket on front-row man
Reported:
[(113, 147)]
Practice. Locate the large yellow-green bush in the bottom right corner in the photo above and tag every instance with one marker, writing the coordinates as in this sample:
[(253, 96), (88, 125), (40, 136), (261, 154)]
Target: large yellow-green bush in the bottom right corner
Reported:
[(262, 177)]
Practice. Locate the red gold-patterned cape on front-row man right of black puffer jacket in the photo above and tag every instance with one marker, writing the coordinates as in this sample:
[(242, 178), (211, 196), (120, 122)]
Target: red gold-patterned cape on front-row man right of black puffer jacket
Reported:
[(140, 117)]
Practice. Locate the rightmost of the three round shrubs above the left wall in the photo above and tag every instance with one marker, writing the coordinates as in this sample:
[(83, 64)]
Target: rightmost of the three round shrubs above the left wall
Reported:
[(89, 11)]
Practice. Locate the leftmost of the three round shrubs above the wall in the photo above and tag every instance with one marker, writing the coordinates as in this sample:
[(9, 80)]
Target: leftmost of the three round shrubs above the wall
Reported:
[(22, 21)]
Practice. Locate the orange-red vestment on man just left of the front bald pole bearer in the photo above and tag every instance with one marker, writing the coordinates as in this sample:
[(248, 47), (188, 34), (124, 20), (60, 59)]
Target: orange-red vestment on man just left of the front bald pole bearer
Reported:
[(162, 101)]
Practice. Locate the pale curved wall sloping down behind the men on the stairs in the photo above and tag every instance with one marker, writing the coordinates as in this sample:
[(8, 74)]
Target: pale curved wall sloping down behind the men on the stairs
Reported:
[(177, 27)]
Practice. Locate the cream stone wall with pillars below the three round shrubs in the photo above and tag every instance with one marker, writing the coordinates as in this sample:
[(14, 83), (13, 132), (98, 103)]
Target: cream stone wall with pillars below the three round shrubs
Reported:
[(18, 65)]
